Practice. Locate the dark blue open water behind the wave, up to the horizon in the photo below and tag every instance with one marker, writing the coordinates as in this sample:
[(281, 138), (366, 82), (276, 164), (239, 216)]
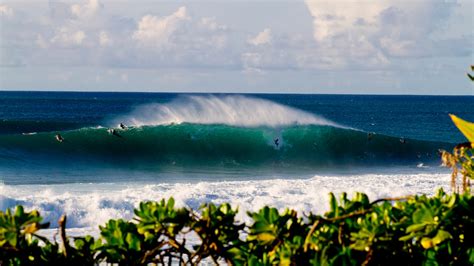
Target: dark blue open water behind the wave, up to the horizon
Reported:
[(417, 117)]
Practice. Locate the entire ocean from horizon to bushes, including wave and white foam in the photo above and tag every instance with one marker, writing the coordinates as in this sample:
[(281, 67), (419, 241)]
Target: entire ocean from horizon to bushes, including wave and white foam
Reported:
[(247, 149)]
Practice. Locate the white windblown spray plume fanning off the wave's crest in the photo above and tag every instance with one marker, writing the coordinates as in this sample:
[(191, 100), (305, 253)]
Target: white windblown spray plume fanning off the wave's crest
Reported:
[(228, 110)]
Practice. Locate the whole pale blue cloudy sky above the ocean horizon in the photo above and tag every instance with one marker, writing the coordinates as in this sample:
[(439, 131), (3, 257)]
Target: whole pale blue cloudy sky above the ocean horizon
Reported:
[(354, 47)]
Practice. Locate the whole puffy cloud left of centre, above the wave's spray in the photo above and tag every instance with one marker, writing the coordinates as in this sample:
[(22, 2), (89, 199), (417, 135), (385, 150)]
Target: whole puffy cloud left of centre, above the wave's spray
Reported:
[(179, 40)]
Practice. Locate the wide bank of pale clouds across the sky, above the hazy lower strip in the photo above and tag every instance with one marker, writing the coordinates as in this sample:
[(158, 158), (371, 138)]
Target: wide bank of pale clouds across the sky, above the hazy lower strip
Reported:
[(350, 35)]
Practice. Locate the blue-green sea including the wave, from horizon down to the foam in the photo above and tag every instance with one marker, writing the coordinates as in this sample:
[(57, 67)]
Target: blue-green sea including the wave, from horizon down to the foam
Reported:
[(362, 131)]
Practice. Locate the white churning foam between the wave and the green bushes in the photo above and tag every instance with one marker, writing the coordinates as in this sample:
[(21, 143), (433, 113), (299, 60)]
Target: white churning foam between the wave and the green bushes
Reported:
[(90, 205)]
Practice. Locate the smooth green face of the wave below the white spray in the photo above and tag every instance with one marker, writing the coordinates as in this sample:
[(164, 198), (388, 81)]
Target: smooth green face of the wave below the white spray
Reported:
[(217, 145)]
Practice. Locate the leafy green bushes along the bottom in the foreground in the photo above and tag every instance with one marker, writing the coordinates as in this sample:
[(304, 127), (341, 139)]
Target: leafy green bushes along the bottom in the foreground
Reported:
[(414, 230)]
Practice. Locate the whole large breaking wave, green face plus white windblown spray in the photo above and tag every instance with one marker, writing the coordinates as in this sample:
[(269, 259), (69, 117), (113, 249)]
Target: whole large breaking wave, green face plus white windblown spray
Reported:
[(214, 131)]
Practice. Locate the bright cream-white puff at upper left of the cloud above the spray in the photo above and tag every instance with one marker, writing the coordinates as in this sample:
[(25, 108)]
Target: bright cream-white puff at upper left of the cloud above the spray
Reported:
[(155, 31)]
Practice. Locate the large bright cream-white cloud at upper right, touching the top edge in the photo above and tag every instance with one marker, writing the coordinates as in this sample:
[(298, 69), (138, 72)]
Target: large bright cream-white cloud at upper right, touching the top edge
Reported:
[(372, 33)]
